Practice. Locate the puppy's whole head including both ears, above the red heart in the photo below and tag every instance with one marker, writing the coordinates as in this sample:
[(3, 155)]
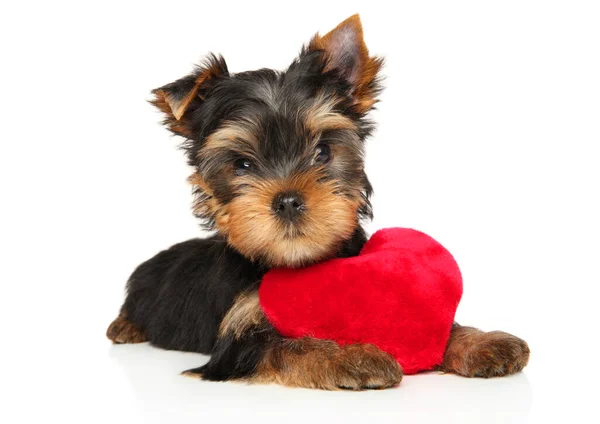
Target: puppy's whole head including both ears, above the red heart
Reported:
[(279, 156)]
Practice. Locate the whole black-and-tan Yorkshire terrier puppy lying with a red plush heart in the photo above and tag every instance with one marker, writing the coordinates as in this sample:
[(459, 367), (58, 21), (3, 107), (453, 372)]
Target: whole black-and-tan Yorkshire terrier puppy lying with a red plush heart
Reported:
[(279, 176)]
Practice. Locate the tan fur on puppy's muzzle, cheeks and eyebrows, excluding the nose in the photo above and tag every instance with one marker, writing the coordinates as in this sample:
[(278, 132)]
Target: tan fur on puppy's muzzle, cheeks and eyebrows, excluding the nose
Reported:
[(248, 220)]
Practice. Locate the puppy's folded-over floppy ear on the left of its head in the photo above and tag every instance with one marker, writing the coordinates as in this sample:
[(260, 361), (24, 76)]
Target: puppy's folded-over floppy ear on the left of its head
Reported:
[(178, 99)]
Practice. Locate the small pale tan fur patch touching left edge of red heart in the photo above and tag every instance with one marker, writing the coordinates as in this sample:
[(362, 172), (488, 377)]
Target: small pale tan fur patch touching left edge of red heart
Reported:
[(244, 314)]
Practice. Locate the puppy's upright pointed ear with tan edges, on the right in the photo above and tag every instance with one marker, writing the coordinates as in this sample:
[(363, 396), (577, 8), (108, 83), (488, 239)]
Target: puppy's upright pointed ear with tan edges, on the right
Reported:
[(346, 52)]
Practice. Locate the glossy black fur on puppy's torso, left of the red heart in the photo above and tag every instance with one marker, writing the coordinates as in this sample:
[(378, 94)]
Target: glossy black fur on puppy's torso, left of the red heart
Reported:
[(180, 296)]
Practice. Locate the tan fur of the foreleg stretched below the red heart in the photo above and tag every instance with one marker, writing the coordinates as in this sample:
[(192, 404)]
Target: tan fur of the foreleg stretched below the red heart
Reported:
[(322, 364)]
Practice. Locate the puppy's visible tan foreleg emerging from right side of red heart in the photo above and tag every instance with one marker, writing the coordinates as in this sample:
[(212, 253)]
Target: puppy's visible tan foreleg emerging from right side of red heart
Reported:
[(474, 353)]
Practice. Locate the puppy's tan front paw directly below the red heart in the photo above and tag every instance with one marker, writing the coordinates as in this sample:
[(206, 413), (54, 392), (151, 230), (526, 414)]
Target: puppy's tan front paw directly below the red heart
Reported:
[(364, 367)]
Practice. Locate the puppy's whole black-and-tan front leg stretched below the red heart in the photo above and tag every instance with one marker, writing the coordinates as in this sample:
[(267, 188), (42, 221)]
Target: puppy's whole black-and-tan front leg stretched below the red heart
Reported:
[(249, 349)]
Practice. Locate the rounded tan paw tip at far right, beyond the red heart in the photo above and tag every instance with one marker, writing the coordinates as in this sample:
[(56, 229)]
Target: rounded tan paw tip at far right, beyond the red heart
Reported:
[(494, 354)]
